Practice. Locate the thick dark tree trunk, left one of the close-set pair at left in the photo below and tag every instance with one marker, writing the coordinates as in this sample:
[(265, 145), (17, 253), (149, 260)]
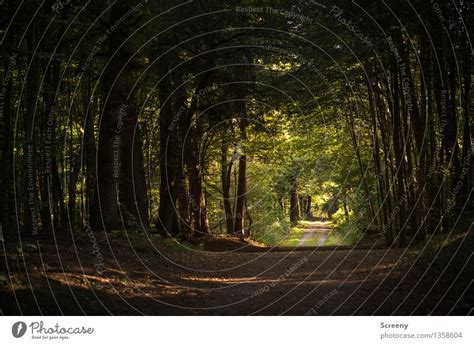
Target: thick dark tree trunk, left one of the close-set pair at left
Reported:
[(116, 81)]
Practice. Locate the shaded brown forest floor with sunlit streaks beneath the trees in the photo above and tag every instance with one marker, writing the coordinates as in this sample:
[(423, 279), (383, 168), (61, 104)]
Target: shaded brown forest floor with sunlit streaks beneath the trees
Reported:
[(142, 273)]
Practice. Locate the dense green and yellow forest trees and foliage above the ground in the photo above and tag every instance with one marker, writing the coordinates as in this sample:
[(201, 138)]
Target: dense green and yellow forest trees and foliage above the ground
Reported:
[(235, 117)]
